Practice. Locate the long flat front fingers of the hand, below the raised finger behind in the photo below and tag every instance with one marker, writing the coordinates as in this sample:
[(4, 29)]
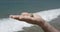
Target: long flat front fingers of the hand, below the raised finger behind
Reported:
[(21, 17)]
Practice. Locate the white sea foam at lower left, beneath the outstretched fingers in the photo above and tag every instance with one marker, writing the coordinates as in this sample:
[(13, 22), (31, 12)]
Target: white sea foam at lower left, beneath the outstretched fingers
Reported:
[(10, 25)]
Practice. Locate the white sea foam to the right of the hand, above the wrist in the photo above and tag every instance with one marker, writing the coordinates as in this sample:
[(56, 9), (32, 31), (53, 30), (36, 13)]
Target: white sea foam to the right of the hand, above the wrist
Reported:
[(49, 15)]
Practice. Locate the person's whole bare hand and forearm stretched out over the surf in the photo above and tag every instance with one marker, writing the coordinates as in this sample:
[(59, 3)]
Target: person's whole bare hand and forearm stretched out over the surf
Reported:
[(35, 19)]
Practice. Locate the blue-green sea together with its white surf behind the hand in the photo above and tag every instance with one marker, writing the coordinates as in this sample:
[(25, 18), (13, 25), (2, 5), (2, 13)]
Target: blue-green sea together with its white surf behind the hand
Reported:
[(48, 10)]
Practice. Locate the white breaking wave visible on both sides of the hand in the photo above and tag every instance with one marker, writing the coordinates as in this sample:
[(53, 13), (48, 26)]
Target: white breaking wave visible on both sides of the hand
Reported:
[(10, 25)]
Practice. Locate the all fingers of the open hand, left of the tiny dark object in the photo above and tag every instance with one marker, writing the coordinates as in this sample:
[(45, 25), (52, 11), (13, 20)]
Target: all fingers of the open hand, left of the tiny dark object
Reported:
[(23, 17)]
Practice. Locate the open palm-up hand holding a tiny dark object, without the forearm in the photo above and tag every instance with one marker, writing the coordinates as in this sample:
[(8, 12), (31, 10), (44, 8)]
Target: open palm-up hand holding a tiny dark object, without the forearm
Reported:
[(28, 17)]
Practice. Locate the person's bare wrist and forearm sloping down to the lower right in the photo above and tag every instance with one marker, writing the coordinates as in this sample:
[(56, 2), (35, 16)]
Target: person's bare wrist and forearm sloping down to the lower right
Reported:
[(47, 27)]
